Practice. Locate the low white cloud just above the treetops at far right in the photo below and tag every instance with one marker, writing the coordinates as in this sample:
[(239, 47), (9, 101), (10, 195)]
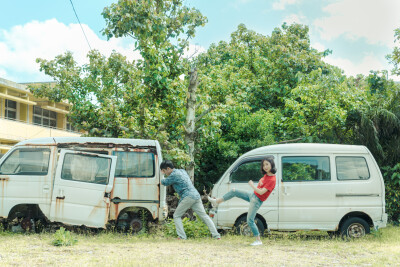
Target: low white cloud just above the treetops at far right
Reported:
[(368, 63)]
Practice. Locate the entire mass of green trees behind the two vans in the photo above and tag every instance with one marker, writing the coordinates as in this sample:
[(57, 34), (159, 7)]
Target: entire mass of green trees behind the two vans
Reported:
[(260, 90)]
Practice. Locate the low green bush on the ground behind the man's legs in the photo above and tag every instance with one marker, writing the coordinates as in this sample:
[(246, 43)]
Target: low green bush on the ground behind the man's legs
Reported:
[(193, 229)]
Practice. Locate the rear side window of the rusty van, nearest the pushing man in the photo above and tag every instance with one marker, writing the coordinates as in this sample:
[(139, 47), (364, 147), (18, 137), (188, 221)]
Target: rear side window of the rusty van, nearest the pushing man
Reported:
[(134, 164)]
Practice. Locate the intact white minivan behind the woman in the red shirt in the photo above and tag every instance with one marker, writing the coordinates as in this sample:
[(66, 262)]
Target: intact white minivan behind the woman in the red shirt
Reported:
[(327, 187)]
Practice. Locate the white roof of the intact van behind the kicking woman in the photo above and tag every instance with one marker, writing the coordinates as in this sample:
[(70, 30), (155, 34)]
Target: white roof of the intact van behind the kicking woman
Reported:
[(308, 148)]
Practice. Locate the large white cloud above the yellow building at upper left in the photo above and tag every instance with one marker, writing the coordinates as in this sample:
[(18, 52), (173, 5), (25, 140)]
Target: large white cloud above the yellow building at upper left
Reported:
[(22, 44)]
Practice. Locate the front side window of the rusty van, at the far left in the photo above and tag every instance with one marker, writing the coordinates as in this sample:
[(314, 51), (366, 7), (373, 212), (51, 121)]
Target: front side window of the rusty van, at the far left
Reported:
[(27, 161)]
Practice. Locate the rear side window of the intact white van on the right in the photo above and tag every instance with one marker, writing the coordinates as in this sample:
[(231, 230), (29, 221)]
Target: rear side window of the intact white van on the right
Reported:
[(352, 168)]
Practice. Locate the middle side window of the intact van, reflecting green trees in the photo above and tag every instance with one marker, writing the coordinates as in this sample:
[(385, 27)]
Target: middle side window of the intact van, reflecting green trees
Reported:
[(303, 168)]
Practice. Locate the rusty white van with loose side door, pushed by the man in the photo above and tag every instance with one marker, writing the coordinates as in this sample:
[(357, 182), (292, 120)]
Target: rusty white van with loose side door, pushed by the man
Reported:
[(83, 181)]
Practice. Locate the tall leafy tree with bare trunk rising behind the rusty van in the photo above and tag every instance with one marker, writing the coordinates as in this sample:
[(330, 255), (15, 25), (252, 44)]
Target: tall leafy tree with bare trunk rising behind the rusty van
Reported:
[(150, 98)]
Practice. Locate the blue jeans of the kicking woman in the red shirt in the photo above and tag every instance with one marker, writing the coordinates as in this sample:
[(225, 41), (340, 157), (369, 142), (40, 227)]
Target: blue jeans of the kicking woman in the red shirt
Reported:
[(255, 204)]
